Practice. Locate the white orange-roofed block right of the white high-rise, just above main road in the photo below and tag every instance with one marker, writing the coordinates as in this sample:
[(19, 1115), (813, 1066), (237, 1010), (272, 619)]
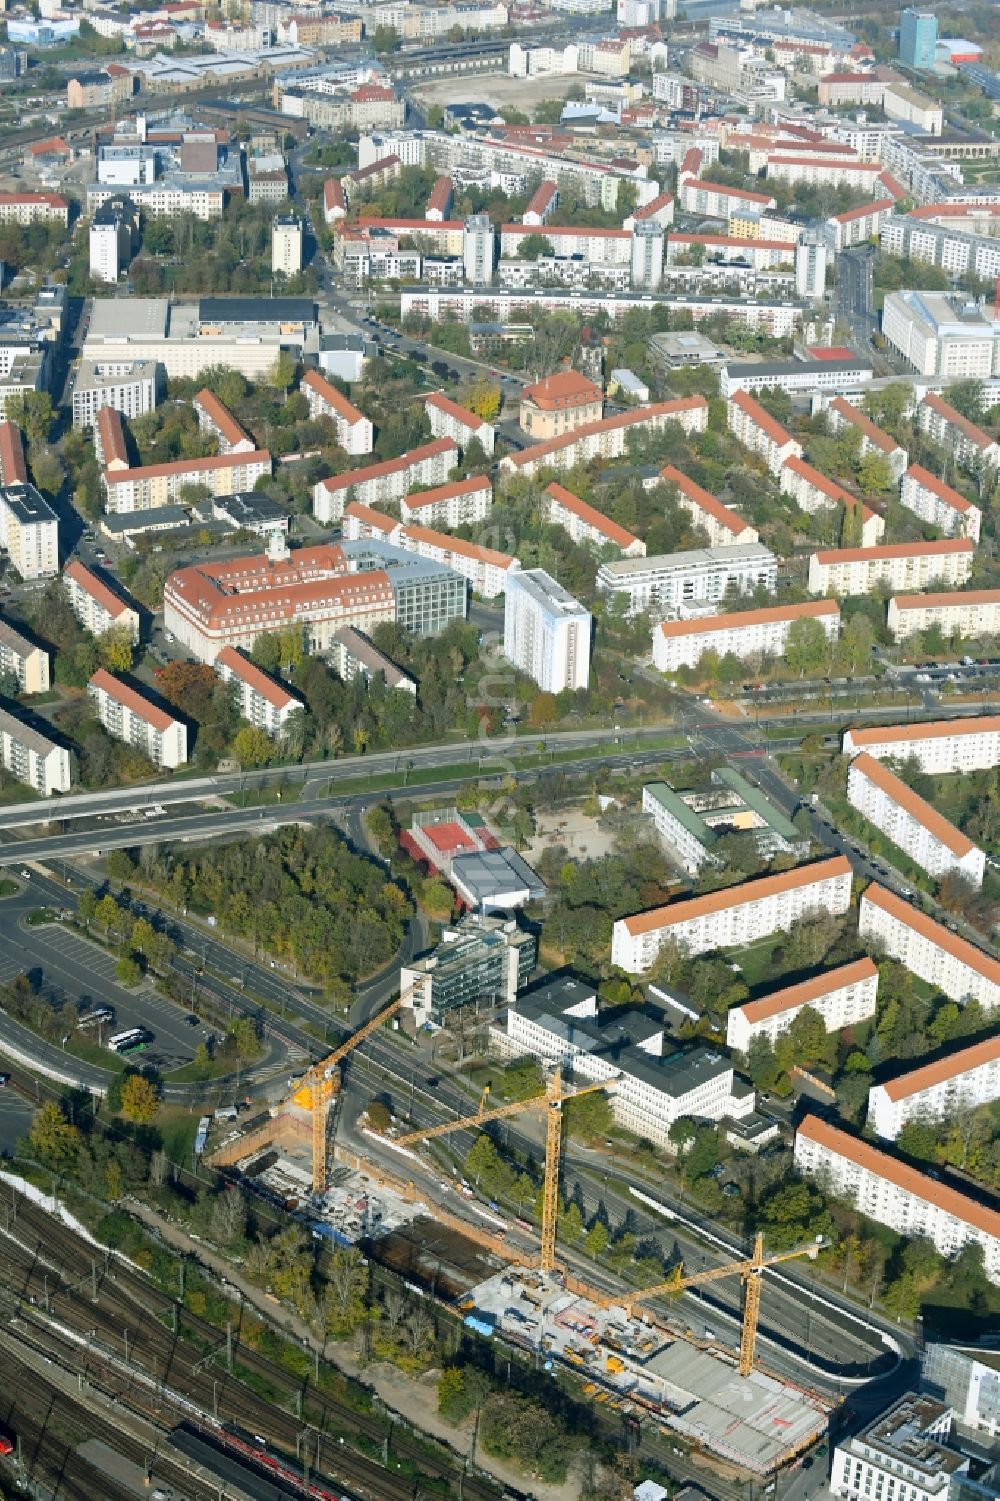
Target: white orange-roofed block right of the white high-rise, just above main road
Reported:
[(747, 634)]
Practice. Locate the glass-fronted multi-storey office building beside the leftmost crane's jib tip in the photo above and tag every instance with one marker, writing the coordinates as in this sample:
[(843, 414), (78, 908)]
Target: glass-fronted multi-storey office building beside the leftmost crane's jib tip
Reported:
[(481, 961)]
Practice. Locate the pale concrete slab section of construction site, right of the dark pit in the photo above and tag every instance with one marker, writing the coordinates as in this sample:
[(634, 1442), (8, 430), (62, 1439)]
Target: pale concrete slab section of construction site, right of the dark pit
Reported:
[(693, 1389)]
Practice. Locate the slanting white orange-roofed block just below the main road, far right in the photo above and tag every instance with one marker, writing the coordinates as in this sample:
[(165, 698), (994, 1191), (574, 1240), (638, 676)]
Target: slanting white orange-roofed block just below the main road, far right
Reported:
[(911, 822)]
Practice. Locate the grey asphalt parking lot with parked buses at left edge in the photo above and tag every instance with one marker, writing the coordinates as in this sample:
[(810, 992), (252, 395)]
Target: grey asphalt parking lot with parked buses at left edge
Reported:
[(67, 967)]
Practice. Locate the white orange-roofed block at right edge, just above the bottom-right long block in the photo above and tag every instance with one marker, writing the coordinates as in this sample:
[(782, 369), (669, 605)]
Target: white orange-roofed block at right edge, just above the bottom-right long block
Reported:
[(938, 1092)]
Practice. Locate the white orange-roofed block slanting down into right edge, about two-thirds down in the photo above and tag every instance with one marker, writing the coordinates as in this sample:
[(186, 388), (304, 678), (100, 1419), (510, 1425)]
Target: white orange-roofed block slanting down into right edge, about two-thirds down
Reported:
[(929, 949)]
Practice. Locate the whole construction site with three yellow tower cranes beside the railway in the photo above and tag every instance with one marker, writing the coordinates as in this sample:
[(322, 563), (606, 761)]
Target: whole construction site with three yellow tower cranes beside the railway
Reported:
[(720, 1401)]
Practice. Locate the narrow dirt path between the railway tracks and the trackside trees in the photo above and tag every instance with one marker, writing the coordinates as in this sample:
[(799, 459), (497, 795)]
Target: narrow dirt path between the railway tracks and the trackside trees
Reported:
[(414, 1400)]
